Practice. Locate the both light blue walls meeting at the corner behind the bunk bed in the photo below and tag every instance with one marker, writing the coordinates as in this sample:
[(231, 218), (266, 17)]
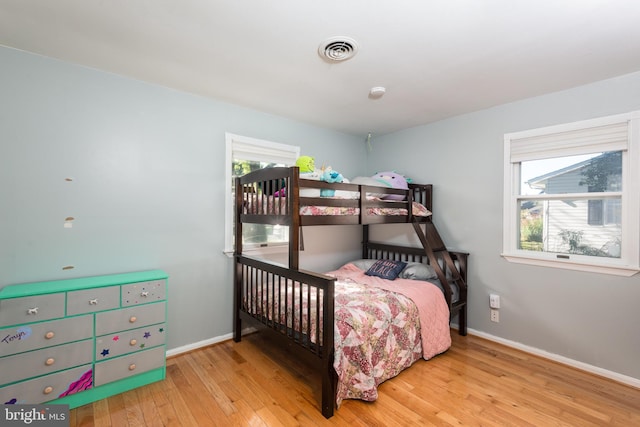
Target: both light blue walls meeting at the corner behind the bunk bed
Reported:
[(148, 170)]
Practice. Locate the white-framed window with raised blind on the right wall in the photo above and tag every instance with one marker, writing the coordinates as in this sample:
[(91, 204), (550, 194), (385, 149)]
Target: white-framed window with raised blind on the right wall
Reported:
[(571, 195)]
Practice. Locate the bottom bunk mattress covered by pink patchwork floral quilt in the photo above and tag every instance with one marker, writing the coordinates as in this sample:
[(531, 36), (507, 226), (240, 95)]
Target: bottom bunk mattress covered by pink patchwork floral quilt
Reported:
[(381, 326)]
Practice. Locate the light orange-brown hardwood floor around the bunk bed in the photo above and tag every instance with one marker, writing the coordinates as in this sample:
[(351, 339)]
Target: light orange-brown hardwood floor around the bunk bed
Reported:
[(476, 382)]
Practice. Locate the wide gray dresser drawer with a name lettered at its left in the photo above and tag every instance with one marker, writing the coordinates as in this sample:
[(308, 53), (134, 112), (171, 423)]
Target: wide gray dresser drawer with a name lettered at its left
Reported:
[(18, 339)]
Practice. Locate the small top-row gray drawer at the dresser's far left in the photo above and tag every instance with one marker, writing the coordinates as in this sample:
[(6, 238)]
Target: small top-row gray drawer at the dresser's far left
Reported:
[(14, 311)]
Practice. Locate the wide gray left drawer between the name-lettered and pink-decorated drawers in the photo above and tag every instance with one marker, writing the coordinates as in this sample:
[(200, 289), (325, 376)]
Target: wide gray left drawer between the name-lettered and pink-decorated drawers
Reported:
[(45, 361)]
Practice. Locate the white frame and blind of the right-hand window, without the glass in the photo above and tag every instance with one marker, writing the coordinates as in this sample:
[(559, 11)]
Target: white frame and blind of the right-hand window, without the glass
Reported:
[(629, 262)]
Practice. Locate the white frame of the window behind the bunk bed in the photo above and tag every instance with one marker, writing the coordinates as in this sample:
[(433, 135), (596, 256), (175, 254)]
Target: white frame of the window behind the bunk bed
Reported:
[(257, 150)]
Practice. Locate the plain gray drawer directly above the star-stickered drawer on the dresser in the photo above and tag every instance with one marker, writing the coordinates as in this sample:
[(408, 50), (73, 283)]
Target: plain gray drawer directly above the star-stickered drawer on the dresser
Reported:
[(129, 318)]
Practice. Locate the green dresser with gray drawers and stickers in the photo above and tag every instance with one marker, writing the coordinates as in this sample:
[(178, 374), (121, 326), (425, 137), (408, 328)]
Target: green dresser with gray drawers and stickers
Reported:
[(79, 340)]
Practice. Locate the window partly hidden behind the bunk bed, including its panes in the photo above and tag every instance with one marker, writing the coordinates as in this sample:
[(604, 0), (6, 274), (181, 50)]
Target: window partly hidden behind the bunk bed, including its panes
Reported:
[(243, 155)]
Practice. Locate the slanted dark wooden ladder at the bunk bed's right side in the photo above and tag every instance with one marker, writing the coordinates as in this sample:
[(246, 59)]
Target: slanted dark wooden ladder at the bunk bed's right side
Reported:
[(442, 261)]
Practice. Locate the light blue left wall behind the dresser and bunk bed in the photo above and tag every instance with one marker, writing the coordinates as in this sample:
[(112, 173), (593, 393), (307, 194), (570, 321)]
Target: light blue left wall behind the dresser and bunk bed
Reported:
[(148, 183)]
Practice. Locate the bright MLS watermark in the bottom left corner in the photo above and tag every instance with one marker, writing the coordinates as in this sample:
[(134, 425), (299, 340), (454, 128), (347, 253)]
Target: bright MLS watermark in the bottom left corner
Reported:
[(35, 415)]
